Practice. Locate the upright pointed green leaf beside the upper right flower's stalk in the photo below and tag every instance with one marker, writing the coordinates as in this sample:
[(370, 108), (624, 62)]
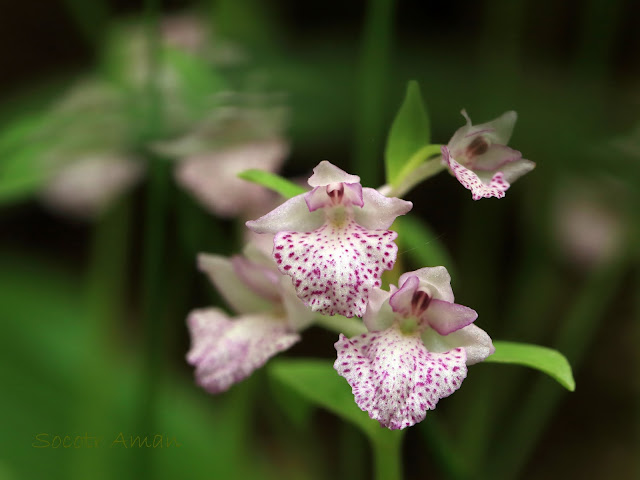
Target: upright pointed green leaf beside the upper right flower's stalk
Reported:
[(409, 133)]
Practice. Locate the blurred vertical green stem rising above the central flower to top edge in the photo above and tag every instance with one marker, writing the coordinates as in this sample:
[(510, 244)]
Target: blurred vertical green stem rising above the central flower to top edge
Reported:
[(370, 89)]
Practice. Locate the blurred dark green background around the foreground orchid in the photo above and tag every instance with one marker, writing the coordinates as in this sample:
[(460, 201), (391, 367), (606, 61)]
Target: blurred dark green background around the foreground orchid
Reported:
[(103, 102)]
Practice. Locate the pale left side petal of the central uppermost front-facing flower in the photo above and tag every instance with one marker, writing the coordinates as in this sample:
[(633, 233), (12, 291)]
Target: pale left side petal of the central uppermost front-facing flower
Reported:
[(292, 215)]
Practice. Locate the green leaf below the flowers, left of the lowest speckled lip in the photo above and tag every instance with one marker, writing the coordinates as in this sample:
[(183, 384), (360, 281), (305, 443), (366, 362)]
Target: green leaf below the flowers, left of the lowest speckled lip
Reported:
[(317, 381)]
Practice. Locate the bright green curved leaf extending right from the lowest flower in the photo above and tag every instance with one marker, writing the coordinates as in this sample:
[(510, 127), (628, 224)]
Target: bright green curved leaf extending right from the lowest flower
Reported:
[(547, 360)]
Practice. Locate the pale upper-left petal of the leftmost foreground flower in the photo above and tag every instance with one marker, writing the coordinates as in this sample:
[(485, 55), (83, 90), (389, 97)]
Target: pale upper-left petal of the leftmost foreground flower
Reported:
[(235, 291)]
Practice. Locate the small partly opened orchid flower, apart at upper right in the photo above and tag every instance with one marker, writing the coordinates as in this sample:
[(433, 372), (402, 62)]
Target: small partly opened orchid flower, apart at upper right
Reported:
[(479, 158)]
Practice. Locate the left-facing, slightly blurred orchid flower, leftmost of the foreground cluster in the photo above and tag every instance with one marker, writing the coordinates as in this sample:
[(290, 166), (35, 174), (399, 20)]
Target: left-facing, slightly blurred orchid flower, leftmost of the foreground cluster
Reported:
[(226, 350)]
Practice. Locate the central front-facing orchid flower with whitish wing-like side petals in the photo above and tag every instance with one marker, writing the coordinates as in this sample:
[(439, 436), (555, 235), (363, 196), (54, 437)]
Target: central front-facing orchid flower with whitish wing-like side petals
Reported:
[(333, 240)]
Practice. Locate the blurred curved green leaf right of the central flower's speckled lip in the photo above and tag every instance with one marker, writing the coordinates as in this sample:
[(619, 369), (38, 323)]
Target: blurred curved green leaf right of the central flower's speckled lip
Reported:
[(422, 245)]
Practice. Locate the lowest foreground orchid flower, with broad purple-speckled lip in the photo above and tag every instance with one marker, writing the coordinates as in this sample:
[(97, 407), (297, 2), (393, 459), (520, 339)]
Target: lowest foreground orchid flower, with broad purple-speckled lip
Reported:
[(416, 351)]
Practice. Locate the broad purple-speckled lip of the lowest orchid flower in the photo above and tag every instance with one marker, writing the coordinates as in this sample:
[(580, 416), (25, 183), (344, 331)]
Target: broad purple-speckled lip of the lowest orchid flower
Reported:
[(395, 378)]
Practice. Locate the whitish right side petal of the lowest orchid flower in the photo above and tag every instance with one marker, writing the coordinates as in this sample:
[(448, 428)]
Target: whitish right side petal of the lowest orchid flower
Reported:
[(475, 341)]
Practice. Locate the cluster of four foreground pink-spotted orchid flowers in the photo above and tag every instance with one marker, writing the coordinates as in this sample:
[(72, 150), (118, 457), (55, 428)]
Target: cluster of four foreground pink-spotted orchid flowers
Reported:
[(330, 248)]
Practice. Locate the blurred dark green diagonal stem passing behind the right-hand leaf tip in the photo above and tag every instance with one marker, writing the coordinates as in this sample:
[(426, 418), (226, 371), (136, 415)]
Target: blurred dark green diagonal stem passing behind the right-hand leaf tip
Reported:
[(574, 336)]
